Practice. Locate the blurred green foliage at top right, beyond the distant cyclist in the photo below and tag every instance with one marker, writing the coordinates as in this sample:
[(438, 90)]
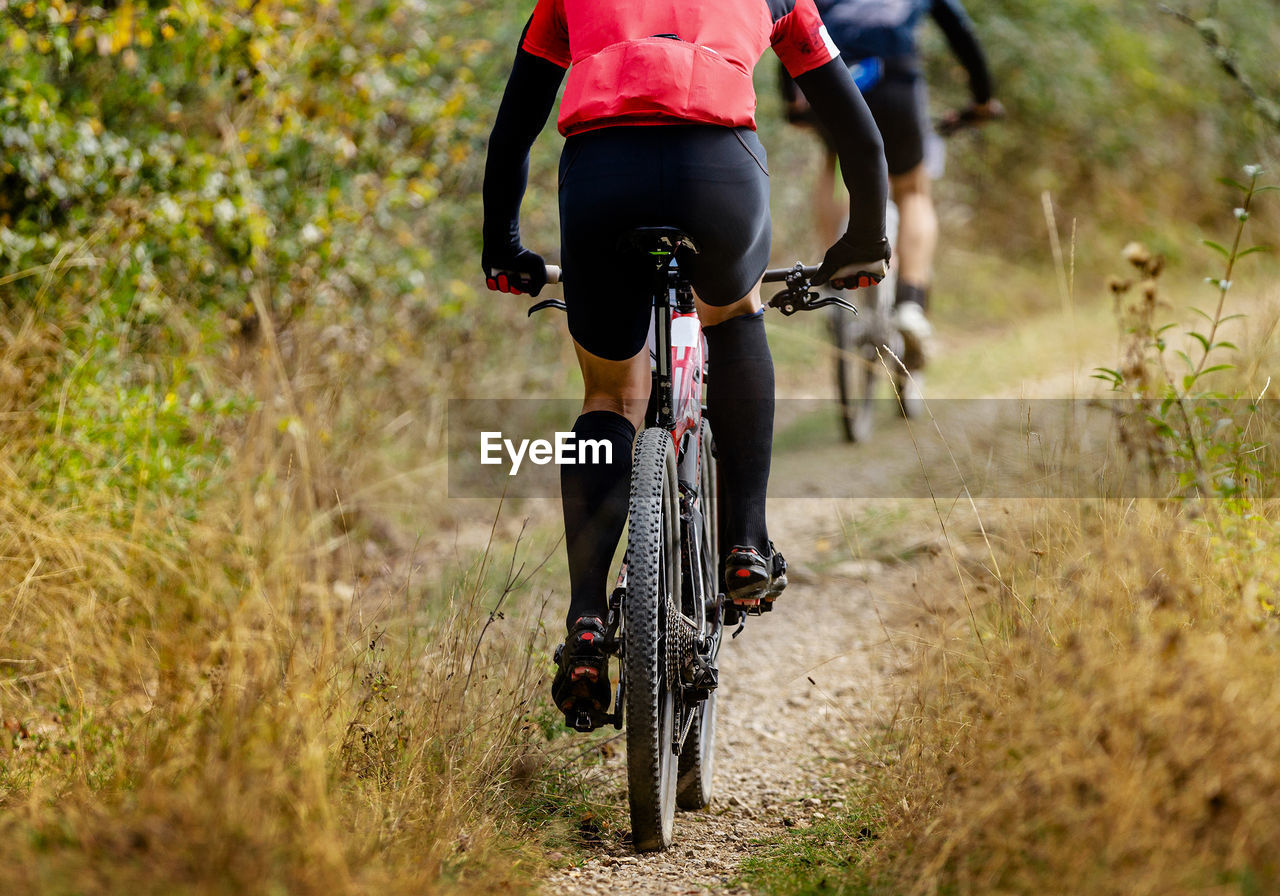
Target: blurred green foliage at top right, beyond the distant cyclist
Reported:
[(1118, 109)]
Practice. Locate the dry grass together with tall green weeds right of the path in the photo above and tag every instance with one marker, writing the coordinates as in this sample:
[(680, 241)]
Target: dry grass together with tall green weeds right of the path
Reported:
[(1094, 692)]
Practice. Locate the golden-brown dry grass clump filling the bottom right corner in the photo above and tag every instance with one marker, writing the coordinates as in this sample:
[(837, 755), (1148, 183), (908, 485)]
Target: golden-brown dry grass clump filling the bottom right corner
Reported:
[(1112, 733)]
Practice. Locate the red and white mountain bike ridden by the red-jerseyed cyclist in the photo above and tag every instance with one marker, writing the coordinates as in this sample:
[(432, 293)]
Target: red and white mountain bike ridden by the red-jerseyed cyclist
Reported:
[(668, 611)]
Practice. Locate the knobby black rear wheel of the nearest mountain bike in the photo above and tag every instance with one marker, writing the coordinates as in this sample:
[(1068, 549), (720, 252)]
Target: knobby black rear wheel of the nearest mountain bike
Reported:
[(653, 578)]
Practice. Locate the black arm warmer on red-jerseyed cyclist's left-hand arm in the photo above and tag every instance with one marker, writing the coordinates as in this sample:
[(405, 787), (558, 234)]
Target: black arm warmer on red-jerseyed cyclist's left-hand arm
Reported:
[(525, 108)]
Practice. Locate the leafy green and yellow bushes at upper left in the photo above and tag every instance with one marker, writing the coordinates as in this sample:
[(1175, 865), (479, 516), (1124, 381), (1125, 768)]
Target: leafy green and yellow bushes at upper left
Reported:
[(173, 172)]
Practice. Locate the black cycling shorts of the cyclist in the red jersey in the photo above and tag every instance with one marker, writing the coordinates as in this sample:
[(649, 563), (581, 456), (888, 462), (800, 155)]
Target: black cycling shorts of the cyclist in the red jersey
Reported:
[(711, 182)]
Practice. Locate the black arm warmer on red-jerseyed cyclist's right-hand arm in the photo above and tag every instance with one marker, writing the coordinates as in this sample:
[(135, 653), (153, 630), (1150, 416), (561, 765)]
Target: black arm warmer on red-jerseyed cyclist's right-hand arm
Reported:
[(839, 106)]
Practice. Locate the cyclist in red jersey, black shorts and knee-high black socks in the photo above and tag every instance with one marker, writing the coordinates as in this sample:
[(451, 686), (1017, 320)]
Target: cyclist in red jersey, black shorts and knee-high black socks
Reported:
[(660, 124)]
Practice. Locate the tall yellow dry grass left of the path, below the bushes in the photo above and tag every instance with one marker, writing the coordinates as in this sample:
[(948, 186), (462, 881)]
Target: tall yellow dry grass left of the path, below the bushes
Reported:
[(193, 703)]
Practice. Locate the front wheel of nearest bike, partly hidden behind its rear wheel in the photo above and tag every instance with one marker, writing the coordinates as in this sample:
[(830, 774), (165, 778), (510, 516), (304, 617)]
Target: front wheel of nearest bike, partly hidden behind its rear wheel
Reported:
[(698, 756)]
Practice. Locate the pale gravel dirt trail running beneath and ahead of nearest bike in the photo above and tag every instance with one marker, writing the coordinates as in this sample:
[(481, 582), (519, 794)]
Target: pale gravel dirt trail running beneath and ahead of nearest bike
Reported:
[(806, 688)]
